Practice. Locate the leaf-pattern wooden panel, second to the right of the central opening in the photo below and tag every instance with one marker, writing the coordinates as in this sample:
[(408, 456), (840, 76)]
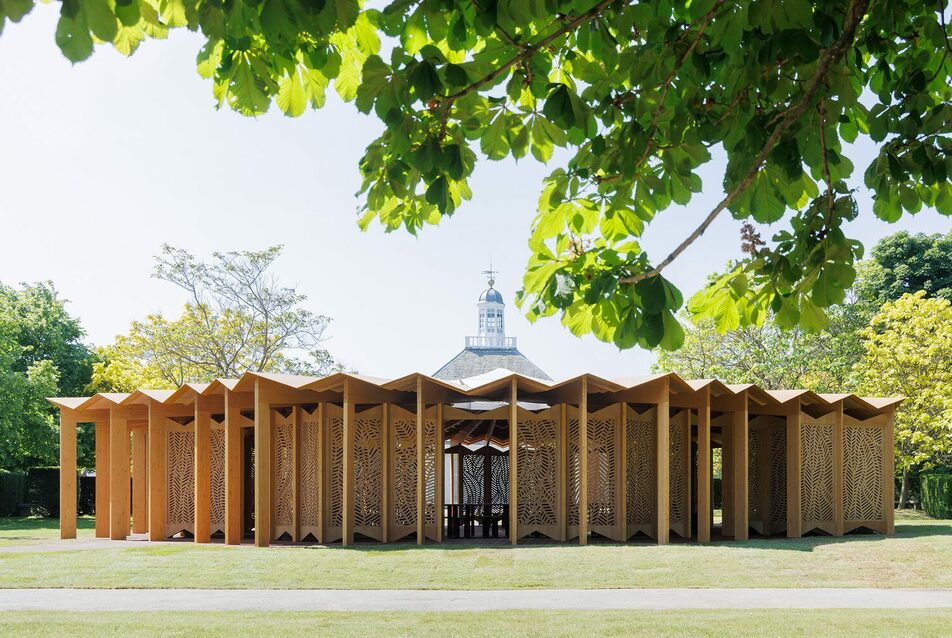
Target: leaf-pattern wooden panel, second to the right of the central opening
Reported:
[(602, 467)]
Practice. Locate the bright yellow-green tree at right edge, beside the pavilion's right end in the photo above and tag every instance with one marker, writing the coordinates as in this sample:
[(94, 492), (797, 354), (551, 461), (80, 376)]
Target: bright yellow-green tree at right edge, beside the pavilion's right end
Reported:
[(908, 350)]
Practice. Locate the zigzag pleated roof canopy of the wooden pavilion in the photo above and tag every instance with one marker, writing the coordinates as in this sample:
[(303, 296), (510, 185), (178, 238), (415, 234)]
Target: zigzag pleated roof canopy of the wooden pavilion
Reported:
[(491, 386)]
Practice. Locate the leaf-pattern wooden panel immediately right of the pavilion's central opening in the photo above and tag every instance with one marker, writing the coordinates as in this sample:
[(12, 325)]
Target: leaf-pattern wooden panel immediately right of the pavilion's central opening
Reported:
[(537, 463)]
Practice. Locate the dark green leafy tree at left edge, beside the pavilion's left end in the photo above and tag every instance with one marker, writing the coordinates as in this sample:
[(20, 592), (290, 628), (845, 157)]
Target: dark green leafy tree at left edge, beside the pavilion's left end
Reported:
[(42, 354)]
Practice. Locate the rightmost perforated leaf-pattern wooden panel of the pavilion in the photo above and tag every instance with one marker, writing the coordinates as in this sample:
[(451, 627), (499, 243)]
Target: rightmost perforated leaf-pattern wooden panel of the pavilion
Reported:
[(862, 473)]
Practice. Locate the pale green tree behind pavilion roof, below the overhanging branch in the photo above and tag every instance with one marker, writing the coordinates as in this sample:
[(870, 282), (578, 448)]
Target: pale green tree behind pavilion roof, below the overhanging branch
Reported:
[(770, 357)]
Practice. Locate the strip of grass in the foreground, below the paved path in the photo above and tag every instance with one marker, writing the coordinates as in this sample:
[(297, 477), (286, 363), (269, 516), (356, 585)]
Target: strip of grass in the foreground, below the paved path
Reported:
[(835, 622)]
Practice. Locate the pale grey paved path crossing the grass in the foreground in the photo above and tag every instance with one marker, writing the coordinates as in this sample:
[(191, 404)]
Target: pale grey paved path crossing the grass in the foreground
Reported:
[(423, 600)]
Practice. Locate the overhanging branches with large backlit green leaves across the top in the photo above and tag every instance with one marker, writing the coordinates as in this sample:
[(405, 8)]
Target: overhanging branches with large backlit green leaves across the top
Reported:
[(642, 94)]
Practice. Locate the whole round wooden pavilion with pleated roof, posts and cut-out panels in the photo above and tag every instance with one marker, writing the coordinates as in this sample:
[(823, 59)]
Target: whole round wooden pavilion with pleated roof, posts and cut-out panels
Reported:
[(347, 457)]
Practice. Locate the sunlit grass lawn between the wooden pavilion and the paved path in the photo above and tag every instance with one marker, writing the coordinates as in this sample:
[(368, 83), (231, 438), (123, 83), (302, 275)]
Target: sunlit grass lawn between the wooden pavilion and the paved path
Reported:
[(919, 555)]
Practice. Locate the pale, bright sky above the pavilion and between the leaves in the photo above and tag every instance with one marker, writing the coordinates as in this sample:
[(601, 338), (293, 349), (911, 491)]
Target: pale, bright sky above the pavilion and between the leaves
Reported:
[(103, 162)]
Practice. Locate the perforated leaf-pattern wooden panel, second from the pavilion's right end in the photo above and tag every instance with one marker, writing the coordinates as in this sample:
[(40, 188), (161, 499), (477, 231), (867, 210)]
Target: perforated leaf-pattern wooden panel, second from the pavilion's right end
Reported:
[(816, 472)]
